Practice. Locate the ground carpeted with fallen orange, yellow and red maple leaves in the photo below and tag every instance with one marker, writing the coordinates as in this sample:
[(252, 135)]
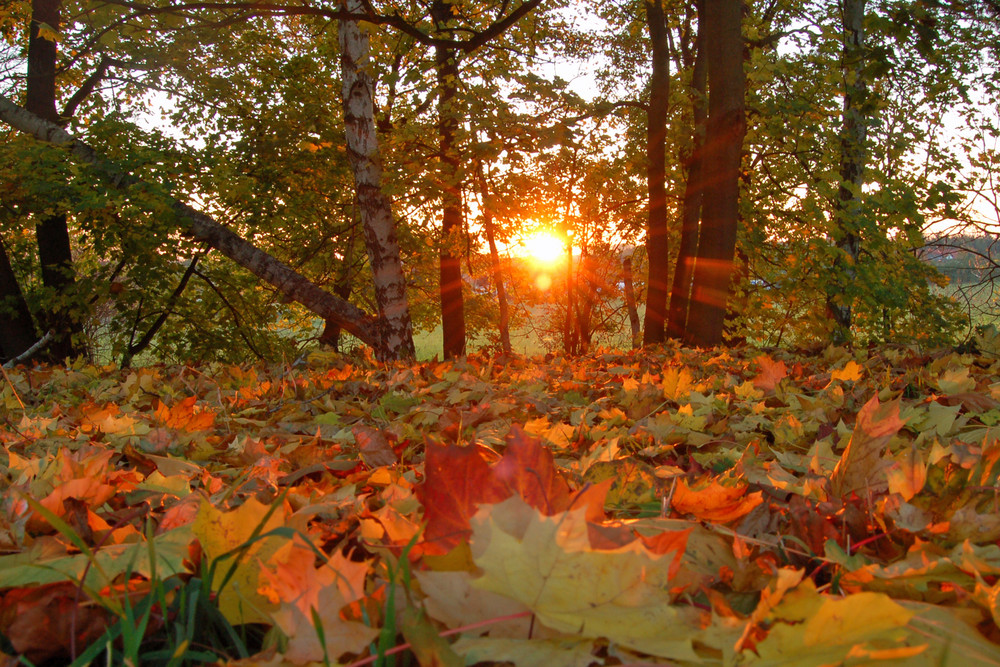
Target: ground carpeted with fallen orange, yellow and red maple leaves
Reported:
[(669, 507)]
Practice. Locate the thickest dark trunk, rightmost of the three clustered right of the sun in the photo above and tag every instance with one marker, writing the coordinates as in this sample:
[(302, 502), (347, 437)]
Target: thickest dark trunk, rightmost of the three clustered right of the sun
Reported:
[(722, 154)]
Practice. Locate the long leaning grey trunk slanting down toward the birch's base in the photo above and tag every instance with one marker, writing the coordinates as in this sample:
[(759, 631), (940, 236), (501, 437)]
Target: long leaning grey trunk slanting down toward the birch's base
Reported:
[(202, 227)]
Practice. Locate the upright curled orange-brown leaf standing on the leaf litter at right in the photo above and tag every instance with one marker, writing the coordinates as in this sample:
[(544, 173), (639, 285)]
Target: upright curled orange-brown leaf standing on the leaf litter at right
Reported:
[(862, 462)]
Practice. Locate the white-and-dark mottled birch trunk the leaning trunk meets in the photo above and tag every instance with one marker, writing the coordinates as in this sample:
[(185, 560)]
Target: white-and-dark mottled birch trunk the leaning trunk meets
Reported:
[(395, 328)]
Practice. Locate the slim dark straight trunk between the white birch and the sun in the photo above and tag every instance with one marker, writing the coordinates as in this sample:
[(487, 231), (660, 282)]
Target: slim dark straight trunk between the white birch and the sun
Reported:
[(452, 229)]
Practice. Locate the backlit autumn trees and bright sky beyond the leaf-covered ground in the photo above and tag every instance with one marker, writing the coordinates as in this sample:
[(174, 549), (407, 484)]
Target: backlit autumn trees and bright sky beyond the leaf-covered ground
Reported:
[(869, 135)]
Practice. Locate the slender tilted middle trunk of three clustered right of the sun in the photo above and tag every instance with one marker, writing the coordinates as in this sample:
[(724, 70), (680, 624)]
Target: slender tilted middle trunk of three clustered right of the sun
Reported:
[(680, 295)]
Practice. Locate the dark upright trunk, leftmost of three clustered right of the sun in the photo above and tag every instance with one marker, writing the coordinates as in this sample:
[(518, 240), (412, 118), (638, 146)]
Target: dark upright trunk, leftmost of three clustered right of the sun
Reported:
[(657, 238)]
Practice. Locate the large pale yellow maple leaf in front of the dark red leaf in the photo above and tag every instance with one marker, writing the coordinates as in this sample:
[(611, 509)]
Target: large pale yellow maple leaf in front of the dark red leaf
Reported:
[(547, 564)]
